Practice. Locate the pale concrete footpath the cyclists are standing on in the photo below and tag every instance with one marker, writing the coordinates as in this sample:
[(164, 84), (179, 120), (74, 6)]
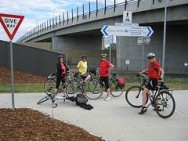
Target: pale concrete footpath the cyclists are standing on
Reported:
[(113, 120)]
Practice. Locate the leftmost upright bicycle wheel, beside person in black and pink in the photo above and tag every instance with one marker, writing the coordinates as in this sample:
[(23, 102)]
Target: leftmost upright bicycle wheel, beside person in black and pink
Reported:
[(49, 86)]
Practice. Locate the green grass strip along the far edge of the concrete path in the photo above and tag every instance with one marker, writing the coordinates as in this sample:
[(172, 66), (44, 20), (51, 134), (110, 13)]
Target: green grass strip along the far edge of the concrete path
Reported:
[(172, 83)]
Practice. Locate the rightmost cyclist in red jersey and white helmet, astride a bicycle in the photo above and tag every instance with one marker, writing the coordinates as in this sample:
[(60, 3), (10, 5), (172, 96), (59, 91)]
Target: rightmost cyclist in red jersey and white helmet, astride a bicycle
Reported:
[(155, 72)]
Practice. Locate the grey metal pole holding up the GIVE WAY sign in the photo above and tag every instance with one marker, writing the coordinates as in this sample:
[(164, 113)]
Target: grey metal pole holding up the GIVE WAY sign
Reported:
[(12, 74)]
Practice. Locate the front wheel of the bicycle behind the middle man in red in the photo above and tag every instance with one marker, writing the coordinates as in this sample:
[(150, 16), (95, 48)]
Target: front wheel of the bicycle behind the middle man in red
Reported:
[(94, 90)]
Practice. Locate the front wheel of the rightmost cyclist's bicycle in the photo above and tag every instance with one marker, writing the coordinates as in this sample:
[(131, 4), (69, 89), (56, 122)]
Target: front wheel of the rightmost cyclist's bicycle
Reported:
[(133, 96)]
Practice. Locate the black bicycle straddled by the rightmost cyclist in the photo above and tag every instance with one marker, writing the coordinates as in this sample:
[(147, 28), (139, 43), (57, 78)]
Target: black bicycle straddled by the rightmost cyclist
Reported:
[(161, 99)]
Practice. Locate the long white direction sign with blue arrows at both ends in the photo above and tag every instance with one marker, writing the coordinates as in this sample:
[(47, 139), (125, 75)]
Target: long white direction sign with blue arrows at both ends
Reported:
[(132, 31)]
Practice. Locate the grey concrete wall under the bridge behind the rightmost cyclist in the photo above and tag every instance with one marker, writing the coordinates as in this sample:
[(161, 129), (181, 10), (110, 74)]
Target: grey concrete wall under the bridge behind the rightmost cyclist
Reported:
[(176, 49)]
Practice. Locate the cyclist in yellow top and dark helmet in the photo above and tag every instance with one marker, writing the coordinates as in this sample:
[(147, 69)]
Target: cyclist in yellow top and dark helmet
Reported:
[(82, 68)]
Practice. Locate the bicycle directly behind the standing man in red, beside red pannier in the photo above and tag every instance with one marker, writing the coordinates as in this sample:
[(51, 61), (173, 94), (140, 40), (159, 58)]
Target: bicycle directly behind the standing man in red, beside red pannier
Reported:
[(98, 86)]
